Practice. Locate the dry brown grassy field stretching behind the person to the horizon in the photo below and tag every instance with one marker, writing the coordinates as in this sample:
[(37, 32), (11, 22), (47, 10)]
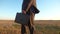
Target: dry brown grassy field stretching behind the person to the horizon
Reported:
[(41, 26)]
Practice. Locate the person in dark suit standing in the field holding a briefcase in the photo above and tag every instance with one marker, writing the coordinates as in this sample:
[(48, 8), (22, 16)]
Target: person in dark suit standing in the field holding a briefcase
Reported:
[(25, 9)]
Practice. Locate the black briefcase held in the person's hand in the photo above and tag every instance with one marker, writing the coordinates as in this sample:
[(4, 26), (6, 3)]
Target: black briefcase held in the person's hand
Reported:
[(22, 18)]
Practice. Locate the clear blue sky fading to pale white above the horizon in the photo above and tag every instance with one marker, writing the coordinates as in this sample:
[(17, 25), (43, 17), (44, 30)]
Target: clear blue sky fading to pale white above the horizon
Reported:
[(49, 9)]
